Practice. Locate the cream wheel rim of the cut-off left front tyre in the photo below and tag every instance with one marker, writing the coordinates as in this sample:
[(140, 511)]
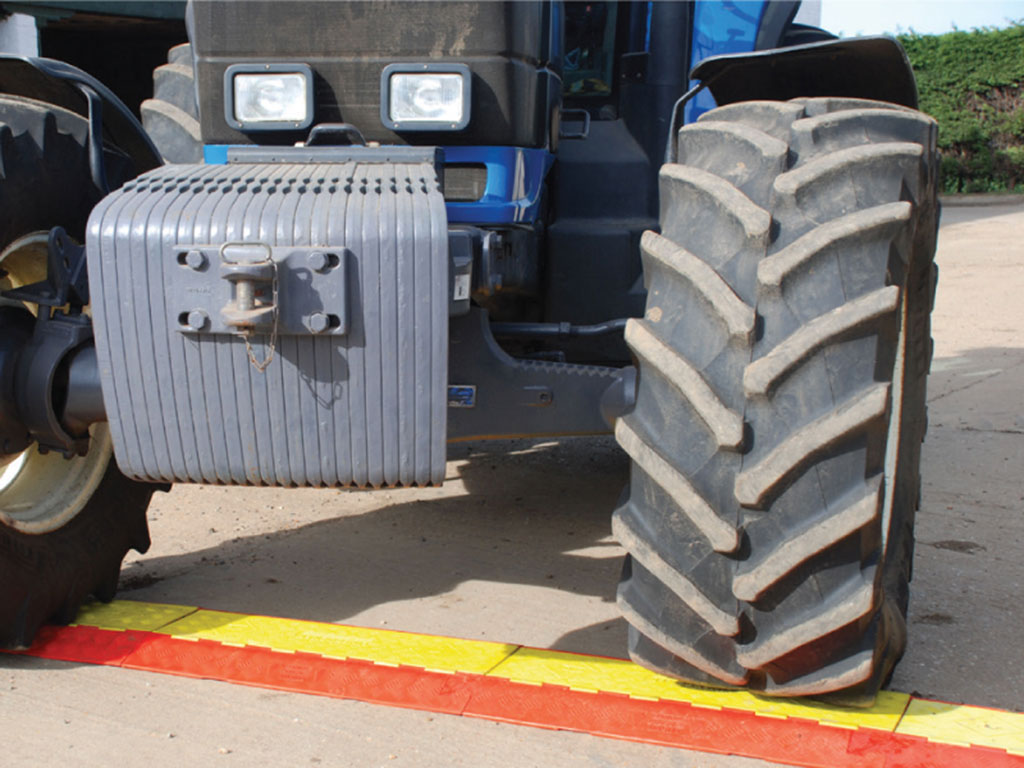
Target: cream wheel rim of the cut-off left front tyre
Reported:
[(40, 493)]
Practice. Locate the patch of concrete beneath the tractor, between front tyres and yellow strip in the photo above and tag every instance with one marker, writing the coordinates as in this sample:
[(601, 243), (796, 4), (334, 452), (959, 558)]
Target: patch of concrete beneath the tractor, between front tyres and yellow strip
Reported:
[(523, 537)]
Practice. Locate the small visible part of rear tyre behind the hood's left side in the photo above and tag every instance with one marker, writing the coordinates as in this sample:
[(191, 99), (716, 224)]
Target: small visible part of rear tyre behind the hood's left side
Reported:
[(172, 117)]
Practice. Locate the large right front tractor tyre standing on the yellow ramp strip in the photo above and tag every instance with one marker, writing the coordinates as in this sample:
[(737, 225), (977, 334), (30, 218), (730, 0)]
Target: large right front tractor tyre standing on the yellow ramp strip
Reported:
[(781, 406)]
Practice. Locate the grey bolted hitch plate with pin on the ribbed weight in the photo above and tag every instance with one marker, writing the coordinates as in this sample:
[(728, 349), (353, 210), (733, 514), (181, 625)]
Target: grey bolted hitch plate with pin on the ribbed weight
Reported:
[(243, 288)]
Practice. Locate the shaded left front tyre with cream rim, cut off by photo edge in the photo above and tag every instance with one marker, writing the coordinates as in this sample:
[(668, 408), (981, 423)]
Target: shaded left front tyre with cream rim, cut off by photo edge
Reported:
[(65, 524)]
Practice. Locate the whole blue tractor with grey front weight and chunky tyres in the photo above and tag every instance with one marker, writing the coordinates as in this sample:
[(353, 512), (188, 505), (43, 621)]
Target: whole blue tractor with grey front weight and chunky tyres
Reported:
[(354, 233)]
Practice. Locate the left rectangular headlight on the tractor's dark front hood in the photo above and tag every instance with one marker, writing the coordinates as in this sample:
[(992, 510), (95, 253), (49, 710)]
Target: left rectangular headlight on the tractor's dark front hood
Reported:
[(269, 97)]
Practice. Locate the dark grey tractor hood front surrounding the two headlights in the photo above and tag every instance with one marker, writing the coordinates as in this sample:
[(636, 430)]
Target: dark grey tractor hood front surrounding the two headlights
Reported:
[(506, 49)]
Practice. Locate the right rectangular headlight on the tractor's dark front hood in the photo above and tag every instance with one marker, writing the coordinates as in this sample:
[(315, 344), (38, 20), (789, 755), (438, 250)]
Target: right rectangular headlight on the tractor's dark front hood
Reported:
[(421, 98)]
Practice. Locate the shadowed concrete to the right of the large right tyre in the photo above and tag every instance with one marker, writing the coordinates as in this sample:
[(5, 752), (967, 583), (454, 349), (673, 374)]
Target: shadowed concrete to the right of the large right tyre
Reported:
[(968, 577)]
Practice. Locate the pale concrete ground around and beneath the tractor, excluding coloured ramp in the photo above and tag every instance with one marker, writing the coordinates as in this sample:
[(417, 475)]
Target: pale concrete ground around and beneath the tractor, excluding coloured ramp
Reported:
[(517, 547)]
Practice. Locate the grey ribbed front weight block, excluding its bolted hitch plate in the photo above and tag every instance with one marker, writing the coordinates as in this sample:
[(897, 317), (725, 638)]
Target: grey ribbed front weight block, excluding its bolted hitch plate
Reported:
[(364, 408)]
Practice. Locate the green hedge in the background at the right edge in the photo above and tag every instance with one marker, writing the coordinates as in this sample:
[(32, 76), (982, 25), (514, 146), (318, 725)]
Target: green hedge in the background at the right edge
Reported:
[(972, 82)]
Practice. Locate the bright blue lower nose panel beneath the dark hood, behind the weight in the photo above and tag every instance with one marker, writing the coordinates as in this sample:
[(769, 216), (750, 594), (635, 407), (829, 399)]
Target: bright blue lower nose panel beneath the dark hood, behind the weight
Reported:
[(513, 195)]
